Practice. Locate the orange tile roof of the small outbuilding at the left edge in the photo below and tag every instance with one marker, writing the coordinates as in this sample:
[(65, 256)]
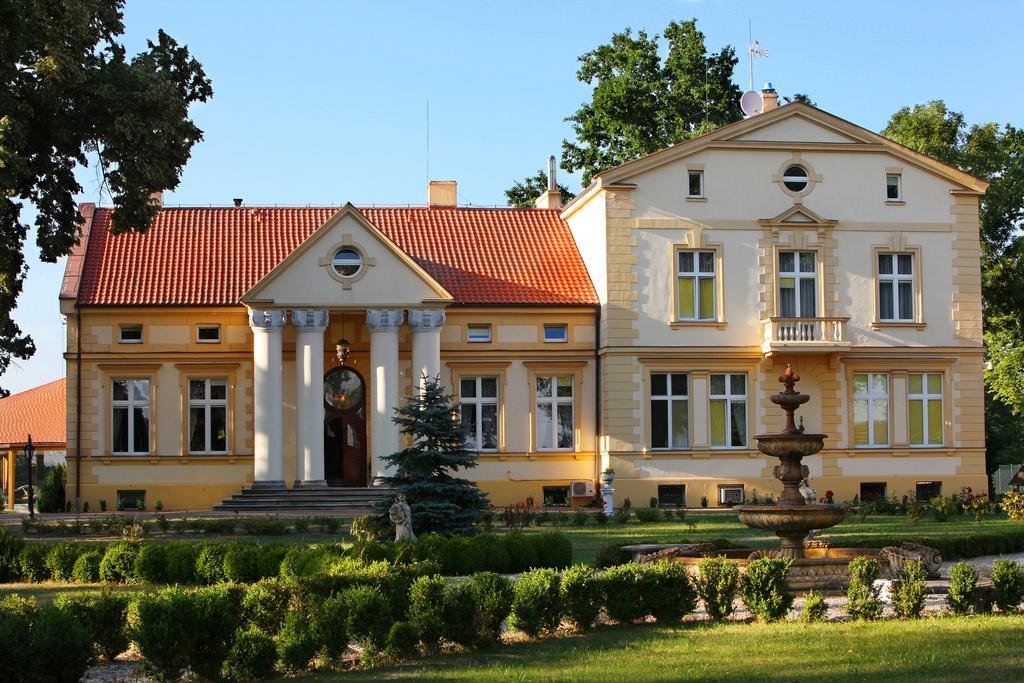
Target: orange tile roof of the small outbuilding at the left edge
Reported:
[(39, 412)]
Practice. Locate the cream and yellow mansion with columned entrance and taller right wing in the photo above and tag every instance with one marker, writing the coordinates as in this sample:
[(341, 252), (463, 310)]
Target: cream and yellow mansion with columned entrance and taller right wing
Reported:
[(642, 328)]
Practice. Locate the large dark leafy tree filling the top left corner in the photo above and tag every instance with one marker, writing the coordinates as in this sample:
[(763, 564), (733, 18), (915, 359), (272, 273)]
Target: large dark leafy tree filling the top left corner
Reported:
[(69, 92)]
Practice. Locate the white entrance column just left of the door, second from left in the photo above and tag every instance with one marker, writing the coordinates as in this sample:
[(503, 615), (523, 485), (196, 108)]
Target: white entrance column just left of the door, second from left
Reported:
[(310, 327)]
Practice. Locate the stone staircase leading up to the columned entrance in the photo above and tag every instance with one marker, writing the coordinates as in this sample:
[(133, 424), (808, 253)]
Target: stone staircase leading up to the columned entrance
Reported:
[(349, 502)]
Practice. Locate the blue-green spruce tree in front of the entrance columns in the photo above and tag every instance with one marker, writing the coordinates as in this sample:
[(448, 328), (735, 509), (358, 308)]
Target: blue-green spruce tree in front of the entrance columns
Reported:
[(441, 502)]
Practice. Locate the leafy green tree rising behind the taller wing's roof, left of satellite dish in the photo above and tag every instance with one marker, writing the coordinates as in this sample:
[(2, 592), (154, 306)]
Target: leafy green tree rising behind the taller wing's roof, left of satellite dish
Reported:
[(643, 104)]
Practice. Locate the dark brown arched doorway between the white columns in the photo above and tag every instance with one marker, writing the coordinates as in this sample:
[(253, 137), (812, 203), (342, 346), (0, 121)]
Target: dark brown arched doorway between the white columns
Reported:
[(345, 429)]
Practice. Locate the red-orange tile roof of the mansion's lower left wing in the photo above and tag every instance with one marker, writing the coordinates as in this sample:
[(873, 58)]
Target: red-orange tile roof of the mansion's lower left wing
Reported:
[(201, 257)]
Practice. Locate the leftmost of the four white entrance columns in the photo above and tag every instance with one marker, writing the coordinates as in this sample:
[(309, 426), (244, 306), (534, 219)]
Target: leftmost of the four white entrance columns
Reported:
[(269, 467)]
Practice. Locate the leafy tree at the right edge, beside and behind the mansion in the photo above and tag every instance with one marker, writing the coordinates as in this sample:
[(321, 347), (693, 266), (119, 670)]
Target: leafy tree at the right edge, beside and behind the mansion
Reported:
[(996, 154)]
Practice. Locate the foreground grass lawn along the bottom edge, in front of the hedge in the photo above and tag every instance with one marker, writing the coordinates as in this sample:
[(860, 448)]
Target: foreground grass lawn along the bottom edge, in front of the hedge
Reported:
[(974, 649)]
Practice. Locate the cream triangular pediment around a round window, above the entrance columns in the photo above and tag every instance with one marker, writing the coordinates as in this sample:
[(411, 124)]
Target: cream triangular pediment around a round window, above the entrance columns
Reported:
[(387, 275)]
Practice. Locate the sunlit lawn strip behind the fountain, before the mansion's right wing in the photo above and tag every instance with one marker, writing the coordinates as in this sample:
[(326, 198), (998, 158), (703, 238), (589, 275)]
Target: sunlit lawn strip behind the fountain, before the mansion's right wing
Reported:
[(587, 540)]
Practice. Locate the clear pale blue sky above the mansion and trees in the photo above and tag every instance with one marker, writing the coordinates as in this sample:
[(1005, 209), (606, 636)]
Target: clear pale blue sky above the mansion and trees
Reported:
[(323, 103)]
